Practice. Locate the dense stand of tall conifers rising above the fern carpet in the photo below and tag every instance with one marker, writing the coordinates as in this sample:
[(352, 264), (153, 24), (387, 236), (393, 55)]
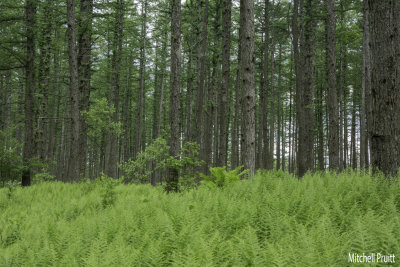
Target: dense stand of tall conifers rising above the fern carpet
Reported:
[(156, 90)]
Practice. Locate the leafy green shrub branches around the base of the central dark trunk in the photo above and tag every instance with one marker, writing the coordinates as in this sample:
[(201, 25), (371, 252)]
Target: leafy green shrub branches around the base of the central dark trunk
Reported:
[(156, 157)]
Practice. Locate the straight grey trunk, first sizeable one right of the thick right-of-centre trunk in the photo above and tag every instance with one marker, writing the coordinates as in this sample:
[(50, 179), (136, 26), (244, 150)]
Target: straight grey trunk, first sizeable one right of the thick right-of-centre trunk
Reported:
[(333, 139)]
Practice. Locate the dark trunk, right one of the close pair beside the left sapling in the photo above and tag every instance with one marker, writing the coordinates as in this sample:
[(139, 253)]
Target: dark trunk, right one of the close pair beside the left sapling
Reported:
[(84, 65)]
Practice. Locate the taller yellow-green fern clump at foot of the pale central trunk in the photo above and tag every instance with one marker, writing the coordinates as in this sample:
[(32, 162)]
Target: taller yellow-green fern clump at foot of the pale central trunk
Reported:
[(220, 177)]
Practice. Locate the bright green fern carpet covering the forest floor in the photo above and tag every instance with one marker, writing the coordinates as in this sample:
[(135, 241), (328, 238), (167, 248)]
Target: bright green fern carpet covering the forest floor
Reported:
[(272, 219)]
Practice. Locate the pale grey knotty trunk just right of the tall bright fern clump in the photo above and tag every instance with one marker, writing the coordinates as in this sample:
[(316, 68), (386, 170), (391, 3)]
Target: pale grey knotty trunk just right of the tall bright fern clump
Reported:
[(247, 71)]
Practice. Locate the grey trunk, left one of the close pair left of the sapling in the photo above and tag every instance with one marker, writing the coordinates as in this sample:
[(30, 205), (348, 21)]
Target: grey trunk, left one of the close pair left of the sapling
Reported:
[(73, 162)]
